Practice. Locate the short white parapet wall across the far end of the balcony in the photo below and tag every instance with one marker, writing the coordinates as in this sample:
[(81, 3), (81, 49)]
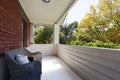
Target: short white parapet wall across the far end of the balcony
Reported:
[(45, 49)]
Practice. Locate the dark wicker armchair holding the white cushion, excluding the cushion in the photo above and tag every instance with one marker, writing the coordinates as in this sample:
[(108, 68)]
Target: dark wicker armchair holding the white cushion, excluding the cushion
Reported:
[(29, 71)]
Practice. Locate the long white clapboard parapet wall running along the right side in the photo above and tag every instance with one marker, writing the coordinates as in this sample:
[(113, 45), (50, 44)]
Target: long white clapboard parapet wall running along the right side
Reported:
[(92, 63)]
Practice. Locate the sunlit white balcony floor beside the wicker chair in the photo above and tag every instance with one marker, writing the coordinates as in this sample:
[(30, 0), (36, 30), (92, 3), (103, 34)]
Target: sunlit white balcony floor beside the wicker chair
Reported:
[(54, 69)]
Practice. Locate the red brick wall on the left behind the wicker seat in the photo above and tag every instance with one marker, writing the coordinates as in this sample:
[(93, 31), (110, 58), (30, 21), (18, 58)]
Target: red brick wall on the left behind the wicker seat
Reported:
[(10, 25)]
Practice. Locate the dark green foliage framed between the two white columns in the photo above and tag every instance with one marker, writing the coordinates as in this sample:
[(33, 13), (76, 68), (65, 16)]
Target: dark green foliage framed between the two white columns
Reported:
[(43, 35)]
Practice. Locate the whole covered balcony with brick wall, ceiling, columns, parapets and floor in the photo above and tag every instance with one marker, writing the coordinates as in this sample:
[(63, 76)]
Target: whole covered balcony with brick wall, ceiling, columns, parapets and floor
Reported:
[(59, 62)]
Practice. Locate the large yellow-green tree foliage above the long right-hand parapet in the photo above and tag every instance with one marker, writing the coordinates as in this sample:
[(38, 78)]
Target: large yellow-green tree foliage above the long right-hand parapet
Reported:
[(100, 27)]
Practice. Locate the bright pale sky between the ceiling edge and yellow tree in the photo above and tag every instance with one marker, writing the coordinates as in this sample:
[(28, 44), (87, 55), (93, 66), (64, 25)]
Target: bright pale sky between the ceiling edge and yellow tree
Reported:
[(79, 10)]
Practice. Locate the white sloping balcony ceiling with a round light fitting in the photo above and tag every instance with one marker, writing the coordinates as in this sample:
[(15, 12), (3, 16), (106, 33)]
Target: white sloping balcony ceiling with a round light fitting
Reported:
[(50, 13)]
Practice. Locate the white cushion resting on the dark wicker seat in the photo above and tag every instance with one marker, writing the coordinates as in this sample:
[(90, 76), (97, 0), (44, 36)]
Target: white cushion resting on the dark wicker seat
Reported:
[(22, 59)]
